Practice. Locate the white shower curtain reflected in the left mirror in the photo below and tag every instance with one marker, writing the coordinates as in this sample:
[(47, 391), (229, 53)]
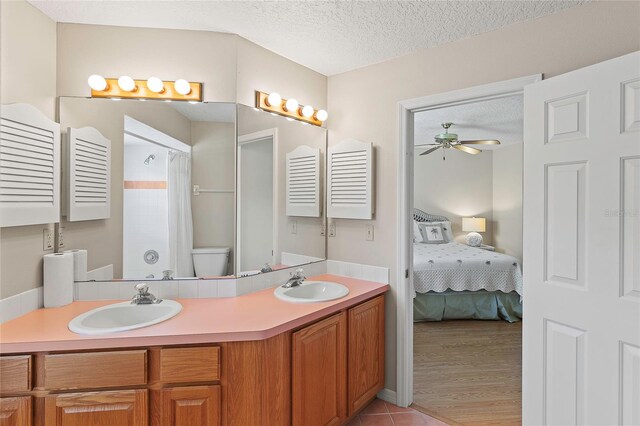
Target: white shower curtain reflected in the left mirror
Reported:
[(180, 218)]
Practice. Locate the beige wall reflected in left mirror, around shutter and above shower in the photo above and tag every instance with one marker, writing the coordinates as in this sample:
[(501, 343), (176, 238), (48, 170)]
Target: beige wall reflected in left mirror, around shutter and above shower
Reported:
[(103, 238)]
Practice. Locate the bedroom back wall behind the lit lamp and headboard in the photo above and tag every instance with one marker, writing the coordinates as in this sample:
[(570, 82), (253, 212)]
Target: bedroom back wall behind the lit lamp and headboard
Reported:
[(460, 186)]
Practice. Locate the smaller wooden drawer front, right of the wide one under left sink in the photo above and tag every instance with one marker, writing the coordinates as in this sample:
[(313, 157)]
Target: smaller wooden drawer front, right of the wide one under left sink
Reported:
[(186, 365)]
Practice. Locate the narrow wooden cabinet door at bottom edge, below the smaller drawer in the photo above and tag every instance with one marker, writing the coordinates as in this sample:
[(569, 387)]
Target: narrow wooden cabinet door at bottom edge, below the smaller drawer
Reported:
[(187, 406)]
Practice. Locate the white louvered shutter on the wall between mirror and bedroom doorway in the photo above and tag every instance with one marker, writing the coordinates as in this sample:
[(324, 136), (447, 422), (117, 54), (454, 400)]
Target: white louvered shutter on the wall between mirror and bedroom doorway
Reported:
[(350, 180)]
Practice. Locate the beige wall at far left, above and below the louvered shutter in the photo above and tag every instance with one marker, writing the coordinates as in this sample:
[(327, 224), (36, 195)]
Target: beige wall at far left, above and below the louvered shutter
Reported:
[(27, 74)]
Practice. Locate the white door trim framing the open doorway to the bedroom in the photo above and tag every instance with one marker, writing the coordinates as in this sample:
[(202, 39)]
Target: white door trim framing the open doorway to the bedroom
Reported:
[(404, 279)]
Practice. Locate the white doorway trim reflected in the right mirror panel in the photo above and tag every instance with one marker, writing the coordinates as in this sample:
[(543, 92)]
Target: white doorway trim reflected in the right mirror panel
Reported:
[(247, 139)]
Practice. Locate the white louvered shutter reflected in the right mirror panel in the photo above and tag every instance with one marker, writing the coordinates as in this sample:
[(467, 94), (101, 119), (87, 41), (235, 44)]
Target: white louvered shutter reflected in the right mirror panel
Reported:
[(303, 182)]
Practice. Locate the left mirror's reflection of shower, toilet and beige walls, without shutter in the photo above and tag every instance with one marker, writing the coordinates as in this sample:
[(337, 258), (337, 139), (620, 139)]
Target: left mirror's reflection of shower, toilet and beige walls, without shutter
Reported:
[(173, 189)]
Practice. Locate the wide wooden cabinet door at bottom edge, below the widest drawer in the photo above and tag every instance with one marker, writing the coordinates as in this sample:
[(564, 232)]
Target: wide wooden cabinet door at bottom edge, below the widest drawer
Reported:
[(108, 408)]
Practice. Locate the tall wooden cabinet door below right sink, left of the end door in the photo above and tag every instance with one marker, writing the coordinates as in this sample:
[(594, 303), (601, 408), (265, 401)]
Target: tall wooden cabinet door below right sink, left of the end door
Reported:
[(320, 373)]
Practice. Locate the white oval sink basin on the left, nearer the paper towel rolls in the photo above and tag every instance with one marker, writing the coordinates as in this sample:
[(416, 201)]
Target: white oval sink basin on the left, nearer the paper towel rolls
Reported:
[(123, 316)]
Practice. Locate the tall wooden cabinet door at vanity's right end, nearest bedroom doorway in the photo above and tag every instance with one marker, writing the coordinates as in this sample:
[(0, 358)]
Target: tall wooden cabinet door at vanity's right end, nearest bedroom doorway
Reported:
[(366, 352)]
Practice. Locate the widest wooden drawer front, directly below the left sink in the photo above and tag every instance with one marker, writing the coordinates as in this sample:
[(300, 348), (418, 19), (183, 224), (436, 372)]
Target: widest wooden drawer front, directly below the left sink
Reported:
[(94, 370)]
